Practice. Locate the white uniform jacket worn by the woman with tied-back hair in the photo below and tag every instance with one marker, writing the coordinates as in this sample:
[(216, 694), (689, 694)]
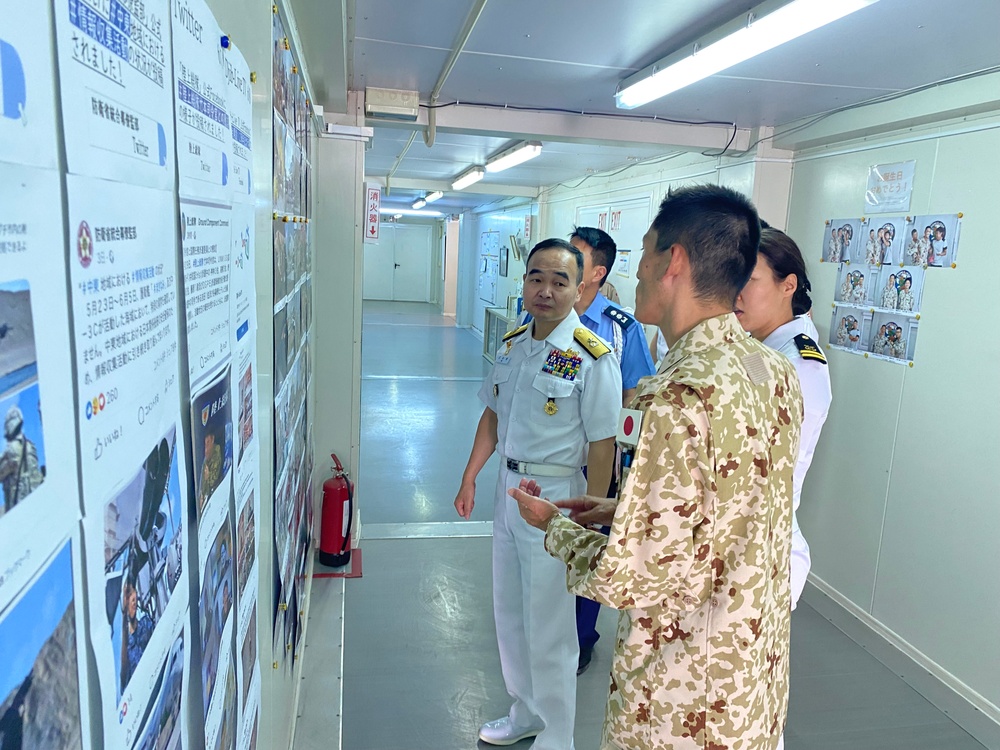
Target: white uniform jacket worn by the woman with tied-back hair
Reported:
[(814, 377)]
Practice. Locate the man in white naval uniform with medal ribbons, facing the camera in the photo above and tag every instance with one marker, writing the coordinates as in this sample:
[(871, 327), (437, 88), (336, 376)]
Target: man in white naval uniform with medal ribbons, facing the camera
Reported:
[(552, 402)]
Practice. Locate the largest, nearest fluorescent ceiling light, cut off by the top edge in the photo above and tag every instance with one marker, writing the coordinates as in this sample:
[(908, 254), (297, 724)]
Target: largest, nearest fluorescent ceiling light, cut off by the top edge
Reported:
[(767, 26)]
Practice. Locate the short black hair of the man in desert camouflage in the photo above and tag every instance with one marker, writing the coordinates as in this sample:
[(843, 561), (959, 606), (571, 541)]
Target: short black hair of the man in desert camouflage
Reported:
[(720, 230)]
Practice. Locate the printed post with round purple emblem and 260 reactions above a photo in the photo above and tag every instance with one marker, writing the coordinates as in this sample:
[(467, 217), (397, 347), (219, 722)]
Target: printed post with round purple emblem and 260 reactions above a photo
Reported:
[(124, 298)]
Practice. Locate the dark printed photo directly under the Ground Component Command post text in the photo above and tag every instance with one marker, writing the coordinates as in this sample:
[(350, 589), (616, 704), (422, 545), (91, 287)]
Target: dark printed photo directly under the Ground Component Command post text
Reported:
[(212, 439)]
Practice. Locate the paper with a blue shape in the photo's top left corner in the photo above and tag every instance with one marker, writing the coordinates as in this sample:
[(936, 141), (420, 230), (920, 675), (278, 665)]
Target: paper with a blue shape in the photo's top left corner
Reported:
[(27, 98)]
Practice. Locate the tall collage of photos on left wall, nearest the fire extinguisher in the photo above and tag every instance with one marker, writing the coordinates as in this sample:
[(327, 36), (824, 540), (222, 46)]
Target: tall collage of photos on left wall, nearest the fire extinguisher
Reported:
[(292, 244)]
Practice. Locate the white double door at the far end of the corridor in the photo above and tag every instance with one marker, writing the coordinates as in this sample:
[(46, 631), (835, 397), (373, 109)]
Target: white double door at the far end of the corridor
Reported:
[(399, 266)]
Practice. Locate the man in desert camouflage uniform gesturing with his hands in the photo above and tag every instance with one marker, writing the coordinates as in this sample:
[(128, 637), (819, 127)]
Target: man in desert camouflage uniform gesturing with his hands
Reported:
[(699, 553)]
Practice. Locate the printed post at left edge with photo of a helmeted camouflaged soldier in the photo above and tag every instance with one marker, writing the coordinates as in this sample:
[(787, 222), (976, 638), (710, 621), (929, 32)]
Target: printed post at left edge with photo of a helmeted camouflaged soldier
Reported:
[(38, 463)]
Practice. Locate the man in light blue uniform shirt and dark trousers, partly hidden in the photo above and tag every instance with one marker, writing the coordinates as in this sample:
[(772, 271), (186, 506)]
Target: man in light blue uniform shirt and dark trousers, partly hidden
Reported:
[(628, 341)]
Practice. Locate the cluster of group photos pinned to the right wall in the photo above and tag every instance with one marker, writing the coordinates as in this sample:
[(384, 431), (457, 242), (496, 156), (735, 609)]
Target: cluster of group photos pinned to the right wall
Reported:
[(883, 266)]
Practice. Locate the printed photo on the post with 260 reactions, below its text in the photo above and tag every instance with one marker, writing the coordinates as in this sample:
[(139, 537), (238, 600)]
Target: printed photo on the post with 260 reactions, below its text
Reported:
[(143, 555)]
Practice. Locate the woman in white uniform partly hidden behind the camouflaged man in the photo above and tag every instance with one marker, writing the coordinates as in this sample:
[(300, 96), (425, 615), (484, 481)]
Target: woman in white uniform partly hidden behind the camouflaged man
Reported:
[(774, 307)]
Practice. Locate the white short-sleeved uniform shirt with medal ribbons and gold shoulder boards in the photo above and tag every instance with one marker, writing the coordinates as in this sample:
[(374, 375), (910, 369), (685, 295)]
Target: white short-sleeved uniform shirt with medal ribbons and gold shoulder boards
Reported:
[(518, 388)]
